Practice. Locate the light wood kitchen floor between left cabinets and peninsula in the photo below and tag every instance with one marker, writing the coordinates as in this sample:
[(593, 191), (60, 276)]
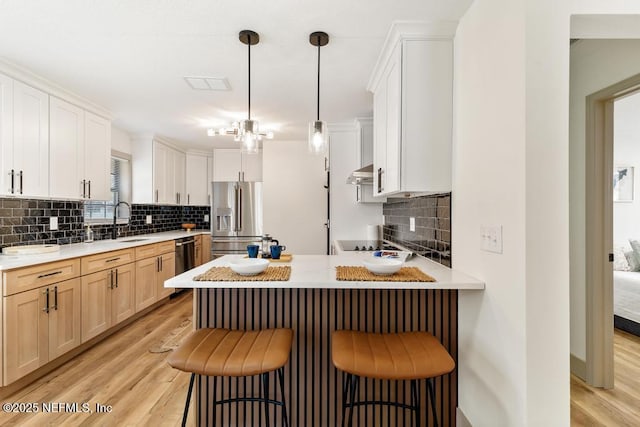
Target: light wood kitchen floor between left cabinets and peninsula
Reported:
[(120, 371)]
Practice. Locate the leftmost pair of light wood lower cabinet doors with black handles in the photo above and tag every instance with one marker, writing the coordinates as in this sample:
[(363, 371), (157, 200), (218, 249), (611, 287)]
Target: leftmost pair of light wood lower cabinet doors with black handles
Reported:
[(40, 325)]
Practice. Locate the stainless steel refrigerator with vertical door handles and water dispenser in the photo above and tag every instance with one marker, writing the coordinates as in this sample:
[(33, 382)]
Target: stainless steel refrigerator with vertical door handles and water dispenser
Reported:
[(236, 216)]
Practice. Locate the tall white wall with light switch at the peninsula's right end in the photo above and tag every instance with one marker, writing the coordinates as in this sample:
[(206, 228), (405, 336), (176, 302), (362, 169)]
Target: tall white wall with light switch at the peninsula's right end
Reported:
[(489, 189)]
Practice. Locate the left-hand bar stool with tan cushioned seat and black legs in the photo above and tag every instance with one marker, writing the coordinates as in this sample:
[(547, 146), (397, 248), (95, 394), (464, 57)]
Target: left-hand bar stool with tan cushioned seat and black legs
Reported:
[(235, 353)]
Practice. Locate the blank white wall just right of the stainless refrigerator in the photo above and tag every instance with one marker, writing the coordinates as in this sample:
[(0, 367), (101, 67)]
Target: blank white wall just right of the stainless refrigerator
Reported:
[(295, 200)]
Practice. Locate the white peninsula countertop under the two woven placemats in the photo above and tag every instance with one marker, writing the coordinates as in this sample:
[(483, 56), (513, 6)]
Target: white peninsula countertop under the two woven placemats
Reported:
[(318, 271)]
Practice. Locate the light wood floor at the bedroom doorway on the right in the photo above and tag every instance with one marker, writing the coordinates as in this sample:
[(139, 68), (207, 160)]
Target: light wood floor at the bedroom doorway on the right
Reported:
[(619, 406)]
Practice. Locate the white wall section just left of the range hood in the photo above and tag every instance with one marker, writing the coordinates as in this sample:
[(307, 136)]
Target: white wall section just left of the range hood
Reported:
[(349, 219)]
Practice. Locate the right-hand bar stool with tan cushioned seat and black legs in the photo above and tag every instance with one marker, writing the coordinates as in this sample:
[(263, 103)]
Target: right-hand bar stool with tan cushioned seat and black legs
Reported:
[(393, 356)]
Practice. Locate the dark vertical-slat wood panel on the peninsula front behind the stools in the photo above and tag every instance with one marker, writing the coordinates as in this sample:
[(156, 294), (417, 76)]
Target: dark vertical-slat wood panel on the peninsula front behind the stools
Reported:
[(313, 387)]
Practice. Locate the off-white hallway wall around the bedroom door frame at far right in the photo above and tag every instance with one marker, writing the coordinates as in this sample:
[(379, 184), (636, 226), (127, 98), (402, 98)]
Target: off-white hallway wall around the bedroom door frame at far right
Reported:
[(595, 65)]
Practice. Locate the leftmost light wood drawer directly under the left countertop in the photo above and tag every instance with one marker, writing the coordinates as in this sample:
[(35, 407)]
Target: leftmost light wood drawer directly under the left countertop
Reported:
[(24, 279)]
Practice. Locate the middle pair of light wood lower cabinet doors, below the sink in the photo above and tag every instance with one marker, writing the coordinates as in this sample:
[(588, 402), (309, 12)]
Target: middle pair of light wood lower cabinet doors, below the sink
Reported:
[(108, 298)]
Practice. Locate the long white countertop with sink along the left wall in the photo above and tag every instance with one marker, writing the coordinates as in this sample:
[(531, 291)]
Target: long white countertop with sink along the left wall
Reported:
[(75, 250)]
